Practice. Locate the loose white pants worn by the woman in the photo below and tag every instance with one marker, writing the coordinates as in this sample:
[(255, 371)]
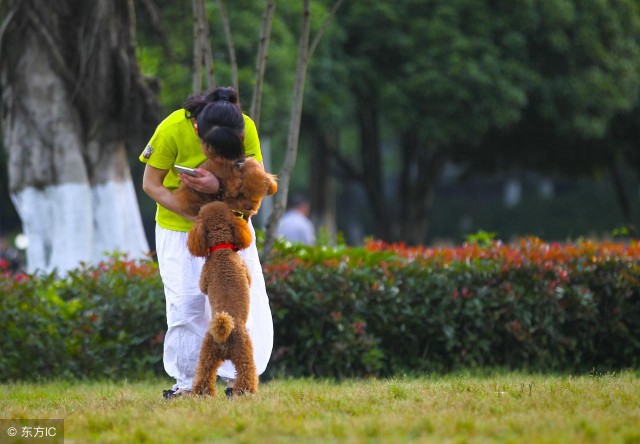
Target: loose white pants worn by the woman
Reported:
[(189, 313)]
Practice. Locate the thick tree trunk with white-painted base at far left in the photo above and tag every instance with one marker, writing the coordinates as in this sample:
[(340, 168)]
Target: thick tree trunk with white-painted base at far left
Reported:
[(70, 88)]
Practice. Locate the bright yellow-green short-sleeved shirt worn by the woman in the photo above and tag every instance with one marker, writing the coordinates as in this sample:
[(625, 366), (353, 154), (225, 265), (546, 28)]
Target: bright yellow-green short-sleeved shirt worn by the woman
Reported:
[(176, 142)]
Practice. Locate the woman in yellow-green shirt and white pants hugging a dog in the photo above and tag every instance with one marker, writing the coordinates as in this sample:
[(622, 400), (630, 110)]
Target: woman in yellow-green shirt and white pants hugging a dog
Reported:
[(180, 140)]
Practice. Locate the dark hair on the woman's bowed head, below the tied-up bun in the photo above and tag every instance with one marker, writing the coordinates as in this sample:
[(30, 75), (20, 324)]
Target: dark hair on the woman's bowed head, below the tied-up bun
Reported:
[(221, 127)]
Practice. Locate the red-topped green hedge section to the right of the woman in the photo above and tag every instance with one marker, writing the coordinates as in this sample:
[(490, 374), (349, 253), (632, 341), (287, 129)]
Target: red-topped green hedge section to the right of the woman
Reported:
[(387, 309)]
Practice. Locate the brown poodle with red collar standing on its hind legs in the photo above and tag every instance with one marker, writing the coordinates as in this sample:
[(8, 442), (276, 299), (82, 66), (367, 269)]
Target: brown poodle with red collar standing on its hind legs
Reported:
[(226, 281)]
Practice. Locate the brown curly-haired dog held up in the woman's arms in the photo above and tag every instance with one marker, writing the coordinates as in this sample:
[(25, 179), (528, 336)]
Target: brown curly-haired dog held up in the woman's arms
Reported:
[(244, 185)]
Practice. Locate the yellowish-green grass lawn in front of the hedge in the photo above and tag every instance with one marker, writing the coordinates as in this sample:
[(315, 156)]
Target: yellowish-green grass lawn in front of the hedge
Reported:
[(510, 408)]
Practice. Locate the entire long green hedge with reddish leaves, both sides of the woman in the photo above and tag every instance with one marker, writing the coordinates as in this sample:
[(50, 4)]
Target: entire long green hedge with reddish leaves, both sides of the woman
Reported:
[(342, 312)]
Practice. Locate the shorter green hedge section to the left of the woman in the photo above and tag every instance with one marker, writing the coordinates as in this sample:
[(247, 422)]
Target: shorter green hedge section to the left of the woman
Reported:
[(100, 321)]
